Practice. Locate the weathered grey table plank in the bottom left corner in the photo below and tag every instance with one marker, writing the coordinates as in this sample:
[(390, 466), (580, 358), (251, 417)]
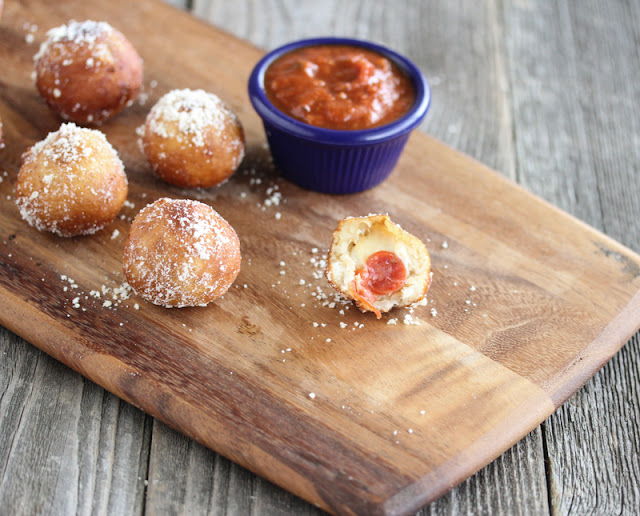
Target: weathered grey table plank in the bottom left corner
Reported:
[(70, 447)]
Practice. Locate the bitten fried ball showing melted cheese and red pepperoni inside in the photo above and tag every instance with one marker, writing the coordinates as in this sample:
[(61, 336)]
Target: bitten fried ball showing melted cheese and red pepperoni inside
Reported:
[(378, 264)]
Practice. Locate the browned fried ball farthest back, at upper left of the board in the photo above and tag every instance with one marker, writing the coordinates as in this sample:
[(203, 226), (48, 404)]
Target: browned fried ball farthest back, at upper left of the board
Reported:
[(87, 71)]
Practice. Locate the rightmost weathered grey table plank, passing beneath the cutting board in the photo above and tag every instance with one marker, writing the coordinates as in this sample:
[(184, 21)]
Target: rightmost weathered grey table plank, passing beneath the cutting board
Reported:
[(575, 77)]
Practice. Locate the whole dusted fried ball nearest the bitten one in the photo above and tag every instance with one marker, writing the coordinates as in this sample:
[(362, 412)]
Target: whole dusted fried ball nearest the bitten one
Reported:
[(181, 253)]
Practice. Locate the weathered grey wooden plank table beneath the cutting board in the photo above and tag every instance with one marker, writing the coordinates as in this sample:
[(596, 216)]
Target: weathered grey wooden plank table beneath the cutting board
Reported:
[(547, 93)]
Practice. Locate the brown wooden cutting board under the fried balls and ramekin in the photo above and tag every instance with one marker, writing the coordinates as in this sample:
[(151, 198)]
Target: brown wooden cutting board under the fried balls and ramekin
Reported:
[(530, 302)]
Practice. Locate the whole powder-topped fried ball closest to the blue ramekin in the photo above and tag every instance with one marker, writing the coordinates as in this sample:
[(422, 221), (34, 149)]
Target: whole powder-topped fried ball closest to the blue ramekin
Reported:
[(193, 139)]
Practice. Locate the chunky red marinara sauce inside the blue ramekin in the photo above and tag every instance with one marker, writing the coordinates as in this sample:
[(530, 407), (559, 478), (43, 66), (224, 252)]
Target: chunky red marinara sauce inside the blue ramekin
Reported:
[(339, 87)]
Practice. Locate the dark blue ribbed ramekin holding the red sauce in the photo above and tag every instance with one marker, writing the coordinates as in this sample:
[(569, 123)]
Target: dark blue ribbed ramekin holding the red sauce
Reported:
[(329, 160)]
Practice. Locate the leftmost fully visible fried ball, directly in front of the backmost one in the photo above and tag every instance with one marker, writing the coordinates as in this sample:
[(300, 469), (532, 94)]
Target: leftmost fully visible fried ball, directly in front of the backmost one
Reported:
[(71, 183)]
